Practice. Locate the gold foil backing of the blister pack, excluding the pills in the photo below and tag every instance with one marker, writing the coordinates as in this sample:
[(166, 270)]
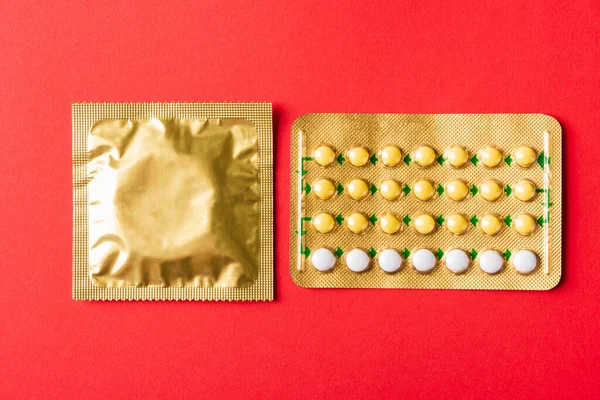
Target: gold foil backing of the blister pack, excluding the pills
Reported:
[(440, 131)]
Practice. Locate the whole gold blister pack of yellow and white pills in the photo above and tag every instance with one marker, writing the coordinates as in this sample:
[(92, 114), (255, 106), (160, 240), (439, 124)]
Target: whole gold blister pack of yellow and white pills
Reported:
[(446, 201)]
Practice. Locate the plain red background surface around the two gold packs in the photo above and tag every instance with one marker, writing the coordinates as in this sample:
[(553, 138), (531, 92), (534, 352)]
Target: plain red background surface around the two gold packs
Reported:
[(353, 56)]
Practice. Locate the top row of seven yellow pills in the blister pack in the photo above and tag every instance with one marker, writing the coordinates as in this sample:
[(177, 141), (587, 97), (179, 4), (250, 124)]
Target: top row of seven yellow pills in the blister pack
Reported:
[(425, 156)]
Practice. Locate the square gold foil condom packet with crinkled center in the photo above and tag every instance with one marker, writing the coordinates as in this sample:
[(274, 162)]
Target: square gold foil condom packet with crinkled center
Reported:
[(172, 201)]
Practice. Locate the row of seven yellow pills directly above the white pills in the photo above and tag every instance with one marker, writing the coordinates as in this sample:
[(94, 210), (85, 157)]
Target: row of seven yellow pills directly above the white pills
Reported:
[(422, 223)]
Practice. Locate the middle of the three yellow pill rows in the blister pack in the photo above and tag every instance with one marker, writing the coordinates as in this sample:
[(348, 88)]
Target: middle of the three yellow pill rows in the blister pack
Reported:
[(423, 189)]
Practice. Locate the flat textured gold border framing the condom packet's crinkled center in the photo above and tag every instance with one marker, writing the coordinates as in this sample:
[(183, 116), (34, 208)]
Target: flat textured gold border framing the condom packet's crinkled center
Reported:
[(86, 115)]
